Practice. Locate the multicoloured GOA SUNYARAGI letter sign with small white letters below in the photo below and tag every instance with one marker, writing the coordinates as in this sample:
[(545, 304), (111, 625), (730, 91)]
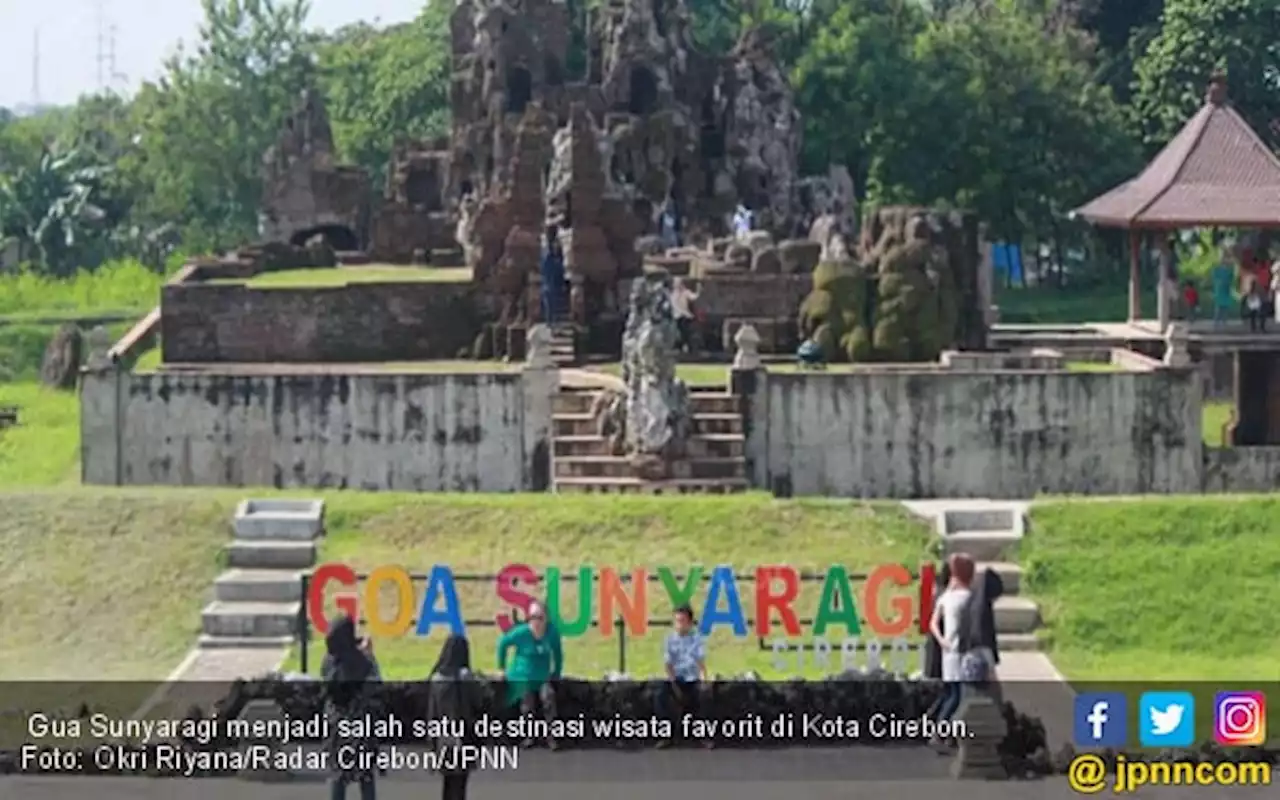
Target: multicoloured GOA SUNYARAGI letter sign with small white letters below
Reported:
[(892, 604)]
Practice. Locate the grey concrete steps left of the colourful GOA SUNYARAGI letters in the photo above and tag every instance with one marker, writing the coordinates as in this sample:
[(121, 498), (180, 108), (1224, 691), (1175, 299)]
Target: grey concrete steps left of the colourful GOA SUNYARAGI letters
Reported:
[(258, 601)]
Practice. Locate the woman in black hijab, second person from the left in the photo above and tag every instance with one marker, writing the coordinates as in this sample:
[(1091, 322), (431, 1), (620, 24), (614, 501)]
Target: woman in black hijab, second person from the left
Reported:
[(454, 706)]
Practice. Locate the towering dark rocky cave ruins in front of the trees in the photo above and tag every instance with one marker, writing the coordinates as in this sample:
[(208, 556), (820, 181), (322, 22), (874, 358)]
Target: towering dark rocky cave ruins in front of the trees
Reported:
[(652, 124)]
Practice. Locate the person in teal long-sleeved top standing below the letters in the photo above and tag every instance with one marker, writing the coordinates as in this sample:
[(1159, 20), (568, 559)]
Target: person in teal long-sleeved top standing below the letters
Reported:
[(534, 669)]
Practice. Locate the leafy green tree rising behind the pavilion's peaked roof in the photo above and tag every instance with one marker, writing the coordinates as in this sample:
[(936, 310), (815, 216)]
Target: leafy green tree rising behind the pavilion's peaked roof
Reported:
[(1197, 38)]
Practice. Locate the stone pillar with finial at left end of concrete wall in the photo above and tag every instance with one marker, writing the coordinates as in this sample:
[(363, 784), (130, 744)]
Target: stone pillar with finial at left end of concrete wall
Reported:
[(103, 382)]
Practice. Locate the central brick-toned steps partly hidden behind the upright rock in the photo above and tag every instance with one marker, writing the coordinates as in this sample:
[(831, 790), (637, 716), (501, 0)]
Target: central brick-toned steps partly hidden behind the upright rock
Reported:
[(716, 465)]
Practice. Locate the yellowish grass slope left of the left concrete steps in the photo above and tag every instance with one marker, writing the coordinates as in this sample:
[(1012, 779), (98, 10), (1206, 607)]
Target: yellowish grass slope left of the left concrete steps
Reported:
[(104, 584)]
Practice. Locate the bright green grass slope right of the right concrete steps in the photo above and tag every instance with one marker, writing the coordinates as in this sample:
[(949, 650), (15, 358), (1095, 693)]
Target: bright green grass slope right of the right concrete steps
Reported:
[(1163, 589)]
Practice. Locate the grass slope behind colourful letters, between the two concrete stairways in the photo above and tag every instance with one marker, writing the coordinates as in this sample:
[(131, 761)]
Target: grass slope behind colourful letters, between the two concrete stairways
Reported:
[(482, 534)]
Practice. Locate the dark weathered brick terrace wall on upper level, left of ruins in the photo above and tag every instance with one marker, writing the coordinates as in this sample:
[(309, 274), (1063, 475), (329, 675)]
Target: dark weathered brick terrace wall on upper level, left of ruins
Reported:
[(374, 322)]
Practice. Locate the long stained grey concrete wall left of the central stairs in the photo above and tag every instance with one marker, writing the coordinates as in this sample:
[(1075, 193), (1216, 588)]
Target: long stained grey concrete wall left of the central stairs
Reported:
[(386, 432)]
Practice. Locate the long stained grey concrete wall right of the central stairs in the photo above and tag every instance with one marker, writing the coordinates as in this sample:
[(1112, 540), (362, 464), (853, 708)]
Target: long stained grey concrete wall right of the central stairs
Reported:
[(894, 435)]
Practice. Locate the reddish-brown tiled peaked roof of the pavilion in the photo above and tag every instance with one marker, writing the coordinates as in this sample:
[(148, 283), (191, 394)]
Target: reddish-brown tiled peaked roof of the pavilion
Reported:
[(1215, 172)]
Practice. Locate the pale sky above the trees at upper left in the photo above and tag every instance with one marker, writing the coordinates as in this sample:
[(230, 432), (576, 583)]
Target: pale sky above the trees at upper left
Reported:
[(148, 31)]
